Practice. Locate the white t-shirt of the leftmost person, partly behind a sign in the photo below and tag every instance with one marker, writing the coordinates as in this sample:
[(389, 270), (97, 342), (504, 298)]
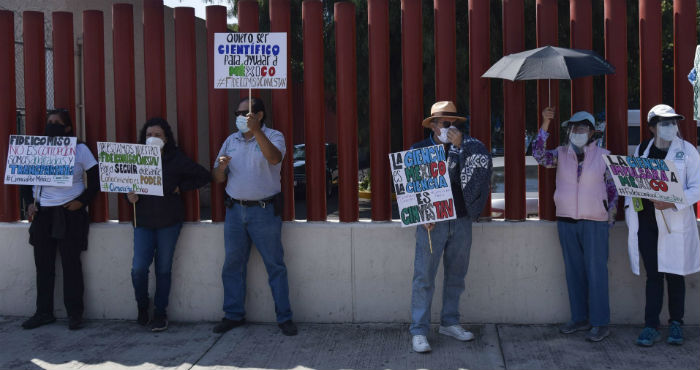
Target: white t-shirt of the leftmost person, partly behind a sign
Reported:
[(50, 196)]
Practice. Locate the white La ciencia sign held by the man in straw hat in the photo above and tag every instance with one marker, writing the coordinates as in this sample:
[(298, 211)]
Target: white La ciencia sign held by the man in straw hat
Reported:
[(422, 185)]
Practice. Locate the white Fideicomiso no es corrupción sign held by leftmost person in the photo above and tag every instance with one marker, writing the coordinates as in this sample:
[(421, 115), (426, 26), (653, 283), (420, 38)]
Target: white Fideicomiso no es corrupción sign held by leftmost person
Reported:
[(40, 160)]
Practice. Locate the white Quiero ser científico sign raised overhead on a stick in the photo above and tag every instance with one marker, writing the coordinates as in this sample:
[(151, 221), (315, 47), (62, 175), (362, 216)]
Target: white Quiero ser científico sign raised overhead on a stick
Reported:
[(250, 60)]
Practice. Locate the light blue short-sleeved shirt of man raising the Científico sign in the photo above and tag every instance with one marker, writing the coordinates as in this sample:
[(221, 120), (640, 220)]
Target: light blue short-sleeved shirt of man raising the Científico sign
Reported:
[(251, 176)]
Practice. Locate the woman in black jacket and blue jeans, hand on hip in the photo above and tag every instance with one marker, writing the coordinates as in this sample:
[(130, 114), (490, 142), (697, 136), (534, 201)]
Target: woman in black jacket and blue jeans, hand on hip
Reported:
[(159, 220)]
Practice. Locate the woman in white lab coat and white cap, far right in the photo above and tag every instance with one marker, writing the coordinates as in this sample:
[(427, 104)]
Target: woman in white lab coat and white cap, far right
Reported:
[(664, 234)]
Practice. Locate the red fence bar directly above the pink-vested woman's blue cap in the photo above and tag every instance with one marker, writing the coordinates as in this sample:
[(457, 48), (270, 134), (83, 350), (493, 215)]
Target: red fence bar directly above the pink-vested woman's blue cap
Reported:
[(581, 19)]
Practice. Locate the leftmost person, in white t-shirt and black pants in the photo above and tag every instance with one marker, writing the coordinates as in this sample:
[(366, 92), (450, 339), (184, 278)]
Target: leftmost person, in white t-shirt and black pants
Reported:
[(60, 222)]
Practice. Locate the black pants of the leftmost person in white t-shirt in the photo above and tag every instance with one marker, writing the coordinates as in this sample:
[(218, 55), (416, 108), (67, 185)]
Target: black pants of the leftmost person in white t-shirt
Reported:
[(45, 260)]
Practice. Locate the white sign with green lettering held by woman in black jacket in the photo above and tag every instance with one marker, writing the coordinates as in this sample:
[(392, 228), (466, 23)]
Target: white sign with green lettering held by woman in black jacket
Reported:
[(130, 167)]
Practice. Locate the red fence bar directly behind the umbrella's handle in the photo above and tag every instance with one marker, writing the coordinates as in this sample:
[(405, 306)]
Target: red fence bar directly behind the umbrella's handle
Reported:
[(547, 34)]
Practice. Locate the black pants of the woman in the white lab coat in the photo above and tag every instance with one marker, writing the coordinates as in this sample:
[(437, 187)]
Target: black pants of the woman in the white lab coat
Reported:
[(648, 236)]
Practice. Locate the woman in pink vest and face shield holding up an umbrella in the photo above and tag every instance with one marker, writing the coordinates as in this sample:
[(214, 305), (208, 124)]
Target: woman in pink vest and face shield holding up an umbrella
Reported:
[(586, 202)]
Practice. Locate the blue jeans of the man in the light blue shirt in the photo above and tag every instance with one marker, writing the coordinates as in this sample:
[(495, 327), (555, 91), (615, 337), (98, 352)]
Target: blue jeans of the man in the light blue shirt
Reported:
[(264, 229)]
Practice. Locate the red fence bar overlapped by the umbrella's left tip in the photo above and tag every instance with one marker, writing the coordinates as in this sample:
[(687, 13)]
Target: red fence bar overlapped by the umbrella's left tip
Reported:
[(480, 88)]
